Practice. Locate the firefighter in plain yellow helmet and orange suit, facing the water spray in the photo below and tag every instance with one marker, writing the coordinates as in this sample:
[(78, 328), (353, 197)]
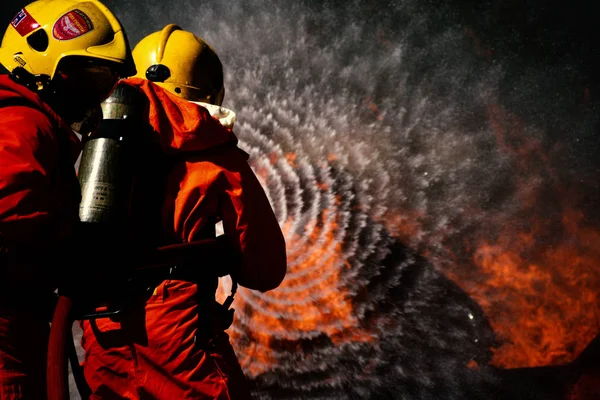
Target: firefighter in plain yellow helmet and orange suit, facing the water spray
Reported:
[(171, 343)]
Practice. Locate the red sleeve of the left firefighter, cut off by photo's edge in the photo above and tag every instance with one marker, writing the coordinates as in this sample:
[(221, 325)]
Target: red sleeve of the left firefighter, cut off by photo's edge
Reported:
[(29, 208)]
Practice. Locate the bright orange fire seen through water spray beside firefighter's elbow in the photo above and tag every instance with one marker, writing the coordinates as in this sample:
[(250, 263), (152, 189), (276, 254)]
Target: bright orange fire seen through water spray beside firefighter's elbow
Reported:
[(311, 301)]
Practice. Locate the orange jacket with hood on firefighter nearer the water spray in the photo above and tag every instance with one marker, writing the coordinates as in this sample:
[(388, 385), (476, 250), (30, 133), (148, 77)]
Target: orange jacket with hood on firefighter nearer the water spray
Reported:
[(217, 183)]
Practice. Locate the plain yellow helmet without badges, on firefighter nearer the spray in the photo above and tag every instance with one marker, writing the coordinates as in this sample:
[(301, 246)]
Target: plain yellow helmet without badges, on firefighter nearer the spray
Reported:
[(182, 63)]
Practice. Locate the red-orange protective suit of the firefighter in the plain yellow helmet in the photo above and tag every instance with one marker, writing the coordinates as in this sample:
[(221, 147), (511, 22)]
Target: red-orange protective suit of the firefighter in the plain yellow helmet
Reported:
[(156, 350)]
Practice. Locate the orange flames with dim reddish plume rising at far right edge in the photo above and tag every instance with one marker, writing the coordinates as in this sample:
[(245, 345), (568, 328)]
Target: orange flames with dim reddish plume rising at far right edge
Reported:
[(538, 278)]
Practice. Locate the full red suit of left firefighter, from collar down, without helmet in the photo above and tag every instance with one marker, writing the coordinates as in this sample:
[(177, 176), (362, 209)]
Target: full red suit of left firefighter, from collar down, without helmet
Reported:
[(39, 197)]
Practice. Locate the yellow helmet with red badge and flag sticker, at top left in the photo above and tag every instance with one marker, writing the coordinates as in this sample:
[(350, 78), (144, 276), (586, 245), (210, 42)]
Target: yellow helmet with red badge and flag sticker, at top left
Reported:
[(45, 32)]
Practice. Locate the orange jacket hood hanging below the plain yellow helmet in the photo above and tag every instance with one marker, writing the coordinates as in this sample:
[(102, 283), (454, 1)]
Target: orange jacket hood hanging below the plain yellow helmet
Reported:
[(181, 125)]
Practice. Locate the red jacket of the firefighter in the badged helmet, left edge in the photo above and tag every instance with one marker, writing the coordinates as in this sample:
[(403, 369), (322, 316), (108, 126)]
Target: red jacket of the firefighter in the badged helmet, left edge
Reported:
[(39, 191)]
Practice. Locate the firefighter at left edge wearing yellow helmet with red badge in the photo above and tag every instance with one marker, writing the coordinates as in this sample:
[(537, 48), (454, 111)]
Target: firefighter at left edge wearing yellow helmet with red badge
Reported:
[(59, 59)]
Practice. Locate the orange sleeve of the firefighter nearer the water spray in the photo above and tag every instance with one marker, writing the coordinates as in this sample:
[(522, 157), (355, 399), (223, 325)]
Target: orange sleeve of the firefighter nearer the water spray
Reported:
[(223, 184)]
